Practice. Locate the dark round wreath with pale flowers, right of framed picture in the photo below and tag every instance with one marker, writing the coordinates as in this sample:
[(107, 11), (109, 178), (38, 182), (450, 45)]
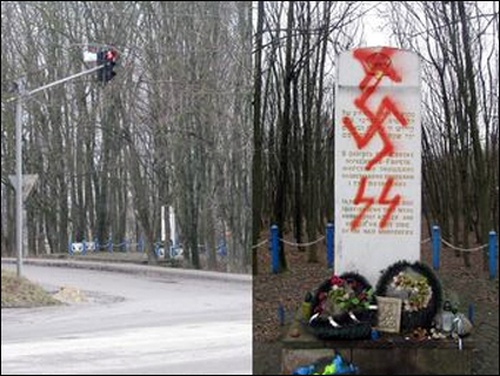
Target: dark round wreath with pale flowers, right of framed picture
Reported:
[(416, 284)]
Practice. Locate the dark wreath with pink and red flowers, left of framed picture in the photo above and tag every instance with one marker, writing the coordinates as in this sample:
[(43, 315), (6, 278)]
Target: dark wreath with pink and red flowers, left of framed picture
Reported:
[(343, 300)]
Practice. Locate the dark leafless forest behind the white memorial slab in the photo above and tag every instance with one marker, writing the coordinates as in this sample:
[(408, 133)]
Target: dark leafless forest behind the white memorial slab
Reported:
[(296, 46)]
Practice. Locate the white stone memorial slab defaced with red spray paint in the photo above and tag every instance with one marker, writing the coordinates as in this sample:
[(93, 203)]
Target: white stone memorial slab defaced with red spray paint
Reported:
[(377, 160)]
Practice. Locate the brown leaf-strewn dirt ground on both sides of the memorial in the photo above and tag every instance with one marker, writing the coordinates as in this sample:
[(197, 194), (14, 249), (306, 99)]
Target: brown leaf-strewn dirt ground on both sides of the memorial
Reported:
[(465, 286)]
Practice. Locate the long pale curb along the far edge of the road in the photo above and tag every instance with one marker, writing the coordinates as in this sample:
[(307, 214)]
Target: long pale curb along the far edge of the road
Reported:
[(157, 271)]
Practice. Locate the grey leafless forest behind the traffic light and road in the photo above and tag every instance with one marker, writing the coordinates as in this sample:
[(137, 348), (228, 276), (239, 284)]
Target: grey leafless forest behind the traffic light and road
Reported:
[(173, 127)]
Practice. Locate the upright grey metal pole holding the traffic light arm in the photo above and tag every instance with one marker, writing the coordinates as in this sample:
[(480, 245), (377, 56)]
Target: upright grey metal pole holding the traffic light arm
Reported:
[(19, 178)]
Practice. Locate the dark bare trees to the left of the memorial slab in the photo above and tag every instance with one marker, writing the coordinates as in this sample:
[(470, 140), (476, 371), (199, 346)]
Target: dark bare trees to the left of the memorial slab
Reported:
[(300, 40)]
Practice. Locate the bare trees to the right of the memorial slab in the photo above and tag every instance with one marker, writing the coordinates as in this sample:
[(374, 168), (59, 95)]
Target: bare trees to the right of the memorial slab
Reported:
[(455, 41)]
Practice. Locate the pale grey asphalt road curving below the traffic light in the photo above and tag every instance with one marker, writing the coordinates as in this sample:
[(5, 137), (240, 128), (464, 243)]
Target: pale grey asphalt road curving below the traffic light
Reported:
[(131, 324)]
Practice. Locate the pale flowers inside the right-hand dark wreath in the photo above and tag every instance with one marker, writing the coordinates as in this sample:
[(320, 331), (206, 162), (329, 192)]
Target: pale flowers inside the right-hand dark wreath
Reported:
[(416, 291)]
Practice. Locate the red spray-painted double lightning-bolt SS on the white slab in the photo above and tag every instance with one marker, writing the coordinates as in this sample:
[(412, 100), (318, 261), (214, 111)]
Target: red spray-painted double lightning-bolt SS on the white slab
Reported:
[(369, 201)]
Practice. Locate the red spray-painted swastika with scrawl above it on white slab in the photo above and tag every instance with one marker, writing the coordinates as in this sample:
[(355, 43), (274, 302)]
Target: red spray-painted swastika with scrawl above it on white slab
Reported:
[(376, 66)]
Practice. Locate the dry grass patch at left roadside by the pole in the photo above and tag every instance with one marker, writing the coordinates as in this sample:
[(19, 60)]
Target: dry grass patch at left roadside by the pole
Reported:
[(22, 293)]
